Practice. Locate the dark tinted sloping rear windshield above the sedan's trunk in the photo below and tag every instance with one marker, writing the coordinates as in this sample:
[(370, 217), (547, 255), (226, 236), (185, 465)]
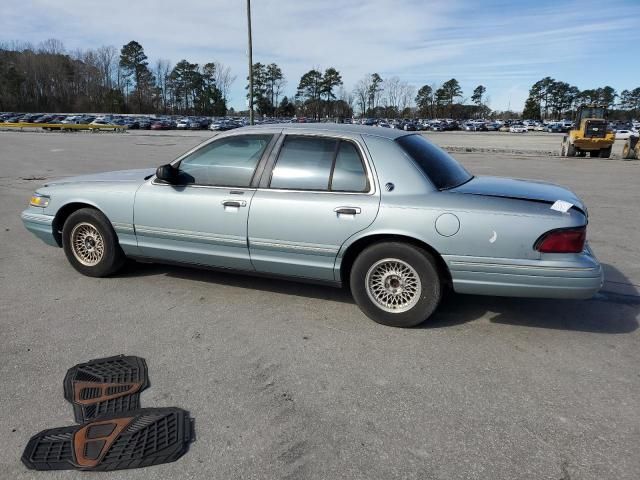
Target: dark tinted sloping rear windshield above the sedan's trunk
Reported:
[(440, 167)]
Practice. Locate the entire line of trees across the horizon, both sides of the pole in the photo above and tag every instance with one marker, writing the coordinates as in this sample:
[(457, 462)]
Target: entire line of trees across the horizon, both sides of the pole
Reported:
[(47, 78)]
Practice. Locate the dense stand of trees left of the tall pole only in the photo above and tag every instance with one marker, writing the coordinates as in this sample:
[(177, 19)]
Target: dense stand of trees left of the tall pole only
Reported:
[(47, 78)]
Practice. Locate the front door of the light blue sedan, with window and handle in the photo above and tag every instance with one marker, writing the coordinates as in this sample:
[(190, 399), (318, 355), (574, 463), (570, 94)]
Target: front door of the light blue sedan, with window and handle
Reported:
[(201, 218)]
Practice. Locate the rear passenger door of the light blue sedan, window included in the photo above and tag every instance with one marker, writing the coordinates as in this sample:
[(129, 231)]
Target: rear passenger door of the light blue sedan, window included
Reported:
[(316, 192)]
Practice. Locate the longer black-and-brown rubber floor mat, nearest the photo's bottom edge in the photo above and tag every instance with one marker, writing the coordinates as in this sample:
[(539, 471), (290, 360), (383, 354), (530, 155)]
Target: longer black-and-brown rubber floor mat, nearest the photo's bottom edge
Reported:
[(141, 438)]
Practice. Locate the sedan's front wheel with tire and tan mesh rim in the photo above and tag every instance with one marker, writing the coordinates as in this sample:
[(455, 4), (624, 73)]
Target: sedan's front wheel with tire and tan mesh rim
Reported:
[(91, 244)]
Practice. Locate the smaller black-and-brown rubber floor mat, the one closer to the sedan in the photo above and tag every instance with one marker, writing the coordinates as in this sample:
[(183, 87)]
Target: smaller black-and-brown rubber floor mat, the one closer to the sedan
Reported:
[(105, 386)]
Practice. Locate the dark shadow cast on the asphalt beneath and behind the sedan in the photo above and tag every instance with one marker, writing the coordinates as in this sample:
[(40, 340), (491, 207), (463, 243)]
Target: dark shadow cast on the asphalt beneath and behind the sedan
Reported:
[(608, 312)]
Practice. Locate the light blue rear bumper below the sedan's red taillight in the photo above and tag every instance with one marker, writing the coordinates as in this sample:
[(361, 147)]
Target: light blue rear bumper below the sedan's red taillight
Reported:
[(570, 277)]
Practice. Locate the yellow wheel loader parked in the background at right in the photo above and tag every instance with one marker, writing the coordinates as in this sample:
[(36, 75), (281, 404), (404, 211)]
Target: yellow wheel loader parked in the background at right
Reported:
[(590, 133)]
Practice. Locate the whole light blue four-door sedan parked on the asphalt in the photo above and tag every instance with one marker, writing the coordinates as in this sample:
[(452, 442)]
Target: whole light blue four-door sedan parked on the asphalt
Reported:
[(380, 210)]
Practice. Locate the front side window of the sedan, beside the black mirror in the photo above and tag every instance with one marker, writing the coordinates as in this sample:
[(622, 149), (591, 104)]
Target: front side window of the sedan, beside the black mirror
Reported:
[(228, 162)]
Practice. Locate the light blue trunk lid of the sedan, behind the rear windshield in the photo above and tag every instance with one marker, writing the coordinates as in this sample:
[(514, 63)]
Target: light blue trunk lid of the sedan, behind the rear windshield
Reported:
[(519, 189)]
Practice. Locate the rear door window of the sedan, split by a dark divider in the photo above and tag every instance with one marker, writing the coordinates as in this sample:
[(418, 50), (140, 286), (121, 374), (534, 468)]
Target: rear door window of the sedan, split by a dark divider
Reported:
[(319, 164)]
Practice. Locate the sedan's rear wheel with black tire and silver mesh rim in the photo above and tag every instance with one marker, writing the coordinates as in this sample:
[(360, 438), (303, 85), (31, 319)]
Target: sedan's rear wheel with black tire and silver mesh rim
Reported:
[(396, 284)]
